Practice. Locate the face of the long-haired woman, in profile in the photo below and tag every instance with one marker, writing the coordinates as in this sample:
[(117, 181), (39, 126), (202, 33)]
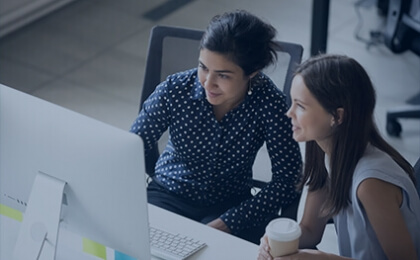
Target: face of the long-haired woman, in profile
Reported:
[(311, 122)]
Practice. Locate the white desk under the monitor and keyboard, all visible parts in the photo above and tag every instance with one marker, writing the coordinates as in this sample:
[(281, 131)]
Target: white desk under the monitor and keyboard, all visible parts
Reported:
[(220, 245)]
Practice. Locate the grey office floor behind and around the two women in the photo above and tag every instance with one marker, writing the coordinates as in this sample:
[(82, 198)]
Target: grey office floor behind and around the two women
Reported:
[(90, 56)]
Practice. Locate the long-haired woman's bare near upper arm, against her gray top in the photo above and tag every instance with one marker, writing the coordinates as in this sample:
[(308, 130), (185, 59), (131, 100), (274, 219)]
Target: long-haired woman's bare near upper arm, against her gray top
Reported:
[(381, 201)]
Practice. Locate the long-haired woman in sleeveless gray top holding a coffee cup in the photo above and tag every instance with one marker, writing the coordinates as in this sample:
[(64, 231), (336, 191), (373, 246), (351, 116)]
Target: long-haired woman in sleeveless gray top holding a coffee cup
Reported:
[(353, 175)]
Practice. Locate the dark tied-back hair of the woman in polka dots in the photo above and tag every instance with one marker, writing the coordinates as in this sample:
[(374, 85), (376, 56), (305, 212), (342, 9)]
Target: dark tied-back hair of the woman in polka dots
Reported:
[(244, 38)]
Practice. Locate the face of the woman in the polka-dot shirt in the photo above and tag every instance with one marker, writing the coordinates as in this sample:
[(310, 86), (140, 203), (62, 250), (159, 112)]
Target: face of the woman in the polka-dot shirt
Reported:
[(224, 81)]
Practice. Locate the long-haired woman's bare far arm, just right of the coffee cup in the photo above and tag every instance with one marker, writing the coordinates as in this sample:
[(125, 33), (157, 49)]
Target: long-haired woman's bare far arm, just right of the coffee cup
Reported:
[(312, 223)]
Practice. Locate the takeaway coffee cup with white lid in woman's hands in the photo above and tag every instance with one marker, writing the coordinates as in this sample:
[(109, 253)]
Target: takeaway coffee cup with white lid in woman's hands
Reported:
[(283, 236)]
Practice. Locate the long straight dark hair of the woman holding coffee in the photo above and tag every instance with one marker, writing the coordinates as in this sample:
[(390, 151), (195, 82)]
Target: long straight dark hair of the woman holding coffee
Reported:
[(341, 82)]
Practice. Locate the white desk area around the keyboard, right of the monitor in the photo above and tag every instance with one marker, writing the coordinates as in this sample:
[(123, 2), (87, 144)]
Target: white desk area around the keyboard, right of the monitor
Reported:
[(220, 245)]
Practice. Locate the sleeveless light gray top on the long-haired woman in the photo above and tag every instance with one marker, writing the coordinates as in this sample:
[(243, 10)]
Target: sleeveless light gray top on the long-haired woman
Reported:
[(356, 237)]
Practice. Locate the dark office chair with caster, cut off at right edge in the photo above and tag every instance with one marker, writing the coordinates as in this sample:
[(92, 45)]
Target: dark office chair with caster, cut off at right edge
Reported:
[(402, 33)]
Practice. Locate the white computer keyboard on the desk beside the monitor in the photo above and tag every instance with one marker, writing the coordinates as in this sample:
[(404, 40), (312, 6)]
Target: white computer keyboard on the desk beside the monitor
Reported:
[(172, 246)]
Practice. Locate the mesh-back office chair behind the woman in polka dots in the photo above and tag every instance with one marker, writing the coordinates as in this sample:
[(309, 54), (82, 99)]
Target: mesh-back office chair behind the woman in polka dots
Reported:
[(174, 49)]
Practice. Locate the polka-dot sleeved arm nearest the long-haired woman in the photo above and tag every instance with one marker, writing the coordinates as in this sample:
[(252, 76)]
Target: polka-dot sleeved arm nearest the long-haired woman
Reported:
[(274, 127)]
